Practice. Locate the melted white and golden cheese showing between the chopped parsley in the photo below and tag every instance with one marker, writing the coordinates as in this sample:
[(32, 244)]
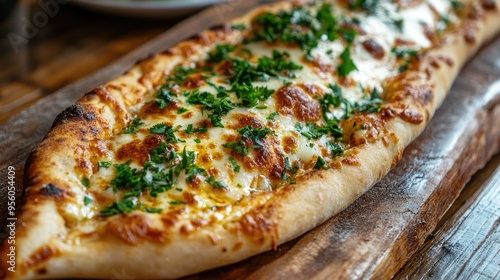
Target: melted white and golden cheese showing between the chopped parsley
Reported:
[(213, 157)]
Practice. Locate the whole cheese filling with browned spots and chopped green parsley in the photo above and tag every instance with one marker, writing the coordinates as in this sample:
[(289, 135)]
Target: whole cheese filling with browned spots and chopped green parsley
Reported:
[(250, 118)]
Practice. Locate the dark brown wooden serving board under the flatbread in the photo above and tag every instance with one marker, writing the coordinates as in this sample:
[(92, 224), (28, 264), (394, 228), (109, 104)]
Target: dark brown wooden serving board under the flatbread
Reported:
[(376, 235)]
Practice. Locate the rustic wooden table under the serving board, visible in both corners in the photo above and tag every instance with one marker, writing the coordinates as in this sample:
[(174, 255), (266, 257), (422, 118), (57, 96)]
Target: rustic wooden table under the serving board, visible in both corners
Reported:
[(73, 43)]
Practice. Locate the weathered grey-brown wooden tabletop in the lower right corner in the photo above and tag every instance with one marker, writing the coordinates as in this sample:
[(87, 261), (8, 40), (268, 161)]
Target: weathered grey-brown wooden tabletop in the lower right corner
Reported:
[(467, 245)]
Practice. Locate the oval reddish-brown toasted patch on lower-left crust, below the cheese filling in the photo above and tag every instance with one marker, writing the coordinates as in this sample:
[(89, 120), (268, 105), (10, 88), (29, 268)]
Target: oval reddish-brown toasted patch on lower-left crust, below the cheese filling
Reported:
[(135, 228)]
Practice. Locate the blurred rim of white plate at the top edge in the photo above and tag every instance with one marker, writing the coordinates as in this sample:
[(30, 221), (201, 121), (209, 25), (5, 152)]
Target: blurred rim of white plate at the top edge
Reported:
[(147, 8)]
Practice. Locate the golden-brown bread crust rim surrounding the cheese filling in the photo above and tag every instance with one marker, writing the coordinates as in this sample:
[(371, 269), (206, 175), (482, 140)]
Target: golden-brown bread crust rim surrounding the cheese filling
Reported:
[(44, 251)]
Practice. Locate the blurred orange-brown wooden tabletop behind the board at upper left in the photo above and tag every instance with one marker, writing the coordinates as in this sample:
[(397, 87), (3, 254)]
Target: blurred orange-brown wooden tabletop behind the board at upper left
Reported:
[(64, 50)]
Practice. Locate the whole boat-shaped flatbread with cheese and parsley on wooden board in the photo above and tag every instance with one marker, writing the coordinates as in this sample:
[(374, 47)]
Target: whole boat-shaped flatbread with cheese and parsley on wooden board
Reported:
[(245, 137)]
